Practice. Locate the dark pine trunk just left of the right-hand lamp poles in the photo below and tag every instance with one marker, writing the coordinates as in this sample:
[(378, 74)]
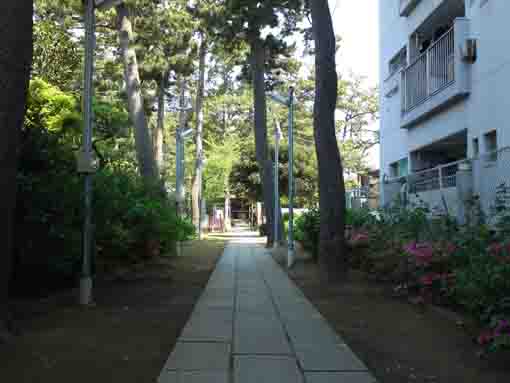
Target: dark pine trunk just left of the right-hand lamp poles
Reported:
[(260, 125)]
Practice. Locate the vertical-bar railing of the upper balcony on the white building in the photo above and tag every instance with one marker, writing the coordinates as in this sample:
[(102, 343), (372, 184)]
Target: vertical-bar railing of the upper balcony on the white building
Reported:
[(429, 73)]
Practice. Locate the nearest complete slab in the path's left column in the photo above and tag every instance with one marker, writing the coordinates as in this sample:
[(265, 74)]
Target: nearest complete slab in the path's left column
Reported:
[(199, 356)]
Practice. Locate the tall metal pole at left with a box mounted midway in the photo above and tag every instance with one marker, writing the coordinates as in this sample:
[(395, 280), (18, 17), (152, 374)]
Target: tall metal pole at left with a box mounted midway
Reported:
[(87, 245)]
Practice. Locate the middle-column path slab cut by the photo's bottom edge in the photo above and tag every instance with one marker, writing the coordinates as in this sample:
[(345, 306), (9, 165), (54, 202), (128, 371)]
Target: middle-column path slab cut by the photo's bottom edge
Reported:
[(266, 369)]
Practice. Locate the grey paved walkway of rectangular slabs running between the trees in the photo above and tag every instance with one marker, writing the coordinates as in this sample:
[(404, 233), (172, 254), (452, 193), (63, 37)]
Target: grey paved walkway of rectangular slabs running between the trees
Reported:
[(253, 325)]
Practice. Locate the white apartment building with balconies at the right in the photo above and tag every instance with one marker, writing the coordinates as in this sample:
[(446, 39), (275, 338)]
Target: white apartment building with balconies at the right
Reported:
[(445, 98)]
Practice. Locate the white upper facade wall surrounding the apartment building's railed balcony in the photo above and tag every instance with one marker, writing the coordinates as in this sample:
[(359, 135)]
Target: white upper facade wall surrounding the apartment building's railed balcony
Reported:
[(485, 109)]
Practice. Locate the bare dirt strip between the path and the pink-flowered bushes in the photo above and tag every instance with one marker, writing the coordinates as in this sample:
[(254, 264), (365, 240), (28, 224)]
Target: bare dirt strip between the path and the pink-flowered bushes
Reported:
[(399, 342)]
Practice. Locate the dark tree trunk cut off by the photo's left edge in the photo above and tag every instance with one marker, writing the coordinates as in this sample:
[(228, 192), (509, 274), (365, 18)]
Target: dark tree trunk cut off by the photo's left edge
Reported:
[(15, 60)]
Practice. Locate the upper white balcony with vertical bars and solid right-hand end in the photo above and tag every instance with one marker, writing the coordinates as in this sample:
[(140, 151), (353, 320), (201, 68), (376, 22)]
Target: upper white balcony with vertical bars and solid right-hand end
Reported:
[(437, 77)]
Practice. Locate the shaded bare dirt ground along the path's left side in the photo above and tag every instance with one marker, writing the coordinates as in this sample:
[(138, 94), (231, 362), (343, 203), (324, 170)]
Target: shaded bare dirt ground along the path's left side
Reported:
[(126, 337)]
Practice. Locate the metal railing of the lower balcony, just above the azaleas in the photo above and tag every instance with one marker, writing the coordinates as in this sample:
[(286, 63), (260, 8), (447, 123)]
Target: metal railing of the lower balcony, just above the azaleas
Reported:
[(440, 177)]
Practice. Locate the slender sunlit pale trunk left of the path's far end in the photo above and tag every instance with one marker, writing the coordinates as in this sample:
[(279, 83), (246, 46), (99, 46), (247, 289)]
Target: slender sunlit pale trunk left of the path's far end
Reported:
[(198, 173)]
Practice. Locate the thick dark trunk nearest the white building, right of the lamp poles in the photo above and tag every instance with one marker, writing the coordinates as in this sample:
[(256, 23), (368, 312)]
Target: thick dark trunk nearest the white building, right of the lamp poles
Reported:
[(332, 250)]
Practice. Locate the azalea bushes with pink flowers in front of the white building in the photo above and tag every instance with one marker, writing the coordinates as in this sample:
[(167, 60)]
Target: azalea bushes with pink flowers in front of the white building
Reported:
[(434, 260)]
